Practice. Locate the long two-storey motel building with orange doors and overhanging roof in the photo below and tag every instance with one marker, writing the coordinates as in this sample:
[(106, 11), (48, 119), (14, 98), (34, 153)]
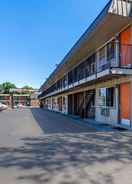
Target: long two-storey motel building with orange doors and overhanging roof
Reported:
[(94, 80)]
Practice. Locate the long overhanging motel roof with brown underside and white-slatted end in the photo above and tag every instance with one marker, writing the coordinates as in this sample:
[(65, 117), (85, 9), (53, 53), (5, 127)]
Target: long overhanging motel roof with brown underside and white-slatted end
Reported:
[(114, 17)]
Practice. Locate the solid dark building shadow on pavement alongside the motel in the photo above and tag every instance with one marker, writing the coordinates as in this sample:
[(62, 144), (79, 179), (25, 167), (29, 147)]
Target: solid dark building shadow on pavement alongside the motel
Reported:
[(51, 122)]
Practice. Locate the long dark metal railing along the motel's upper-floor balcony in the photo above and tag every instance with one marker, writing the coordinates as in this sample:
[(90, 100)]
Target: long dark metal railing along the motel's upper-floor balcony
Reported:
[(116, 56)]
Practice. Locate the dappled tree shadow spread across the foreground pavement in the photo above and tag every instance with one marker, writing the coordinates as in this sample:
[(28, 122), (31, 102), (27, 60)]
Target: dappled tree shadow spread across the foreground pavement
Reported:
[(73, 158)]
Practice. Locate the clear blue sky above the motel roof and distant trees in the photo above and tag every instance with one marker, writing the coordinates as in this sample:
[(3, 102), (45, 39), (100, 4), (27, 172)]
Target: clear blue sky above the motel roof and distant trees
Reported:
[(35, 35)]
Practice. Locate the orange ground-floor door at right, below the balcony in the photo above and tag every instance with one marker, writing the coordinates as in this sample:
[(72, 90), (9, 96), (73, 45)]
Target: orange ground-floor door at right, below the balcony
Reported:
[(125, 104)]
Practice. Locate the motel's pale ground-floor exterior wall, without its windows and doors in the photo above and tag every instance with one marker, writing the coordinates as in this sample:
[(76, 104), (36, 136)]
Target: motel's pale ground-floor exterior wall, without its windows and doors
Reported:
[(112, 113)]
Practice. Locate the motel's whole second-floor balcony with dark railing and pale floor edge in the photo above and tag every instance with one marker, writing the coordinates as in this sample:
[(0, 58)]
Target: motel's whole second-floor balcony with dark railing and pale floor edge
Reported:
[(112, 60)]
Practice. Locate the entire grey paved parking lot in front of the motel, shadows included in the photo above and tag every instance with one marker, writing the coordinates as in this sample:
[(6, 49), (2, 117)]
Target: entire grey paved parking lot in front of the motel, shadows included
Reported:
[(40, 147)]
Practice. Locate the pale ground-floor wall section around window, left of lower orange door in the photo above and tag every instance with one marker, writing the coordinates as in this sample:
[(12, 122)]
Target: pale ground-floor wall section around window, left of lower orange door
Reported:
[(113, 111)]
